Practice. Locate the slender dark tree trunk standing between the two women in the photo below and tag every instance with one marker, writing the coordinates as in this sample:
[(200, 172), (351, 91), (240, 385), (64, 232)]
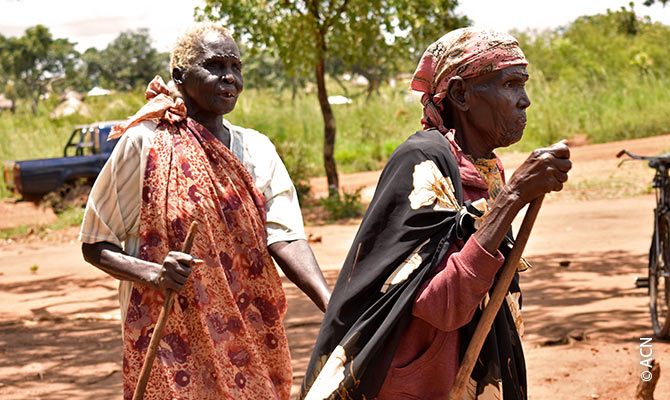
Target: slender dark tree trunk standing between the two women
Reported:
[(329, 127)]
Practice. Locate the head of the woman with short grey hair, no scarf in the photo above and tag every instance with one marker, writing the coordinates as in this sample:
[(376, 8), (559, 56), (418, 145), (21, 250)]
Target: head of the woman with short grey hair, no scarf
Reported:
[(214, 81)]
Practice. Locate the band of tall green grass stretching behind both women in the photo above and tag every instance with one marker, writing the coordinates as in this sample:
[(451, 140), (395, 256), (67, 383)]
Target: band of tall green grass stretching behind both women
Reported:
[(368, 130)]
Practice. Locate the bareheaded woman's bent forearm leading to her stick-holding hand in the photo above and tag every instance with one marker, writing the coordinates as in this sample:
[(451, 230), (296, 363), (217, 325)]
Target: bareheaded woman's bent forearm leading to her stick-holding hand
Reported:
[(115, 262)]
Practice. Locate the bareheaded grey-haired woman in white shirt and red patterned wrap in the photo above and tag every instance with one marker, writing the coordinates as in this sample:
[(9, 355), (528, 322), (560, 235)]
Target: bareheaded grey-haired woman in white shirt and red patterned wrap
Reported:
[(179, 161)]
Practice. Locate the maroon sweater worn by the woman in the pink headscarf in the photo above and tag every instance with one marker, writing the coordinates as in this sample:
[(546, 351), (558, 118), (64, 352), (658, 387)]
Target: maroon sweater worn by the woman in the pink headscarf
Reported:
[(427, 358)]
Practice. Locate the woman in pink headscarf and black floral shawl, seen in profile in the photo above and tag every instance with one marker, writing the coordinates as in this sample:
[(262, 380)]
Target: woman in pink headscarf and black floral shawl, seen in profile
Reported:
[(427, 252)]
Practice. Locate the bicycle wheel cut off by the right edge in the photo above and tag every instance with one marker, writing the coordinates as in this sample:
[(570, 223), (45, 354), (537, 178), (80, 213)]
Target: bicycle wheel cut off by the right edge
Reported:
[(659, 279)]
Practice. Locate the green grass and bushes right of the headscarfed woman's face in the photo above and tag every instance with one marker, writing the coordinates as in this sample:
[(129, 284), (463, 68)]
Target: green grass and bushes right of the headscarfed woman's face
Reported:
[(605, 76)]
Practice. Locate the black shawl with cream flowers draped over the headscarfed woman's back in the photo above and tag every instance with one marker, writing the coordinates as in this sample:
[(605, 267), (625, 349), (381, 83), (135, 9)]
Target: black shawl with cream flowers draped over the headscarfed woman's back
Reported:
[(405, 233)]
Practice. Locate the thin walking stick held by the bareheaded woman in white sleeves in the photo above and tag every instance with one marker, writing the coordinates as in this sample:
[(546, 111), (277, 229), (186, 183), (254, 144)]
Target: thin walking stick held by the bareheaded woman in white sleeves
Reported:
[(160, 324)]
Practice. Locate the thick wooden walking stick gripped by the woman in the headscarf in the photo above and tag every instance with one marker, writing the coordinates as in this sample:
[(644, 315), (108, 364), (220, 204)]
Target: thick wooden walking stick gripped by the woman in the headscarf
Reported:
[(497, 296)]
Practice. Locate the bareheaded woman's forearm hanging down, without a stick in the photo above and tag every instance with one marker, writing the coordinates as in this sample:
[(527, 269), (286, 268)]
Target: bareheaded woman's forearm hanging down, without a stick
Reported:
[(299, 265)]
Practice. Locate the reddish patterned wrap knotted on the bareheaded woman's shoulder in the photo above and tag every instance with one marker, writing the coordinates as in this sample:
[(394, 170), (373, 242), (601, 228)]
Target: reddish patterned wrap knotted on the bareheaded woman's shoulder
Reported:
[(224, 338)]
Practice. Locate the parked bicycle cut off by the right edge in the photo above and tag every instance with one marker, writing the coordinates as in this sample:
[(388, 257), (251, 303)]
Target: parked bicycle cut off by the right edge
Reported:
[(658, 281)]
